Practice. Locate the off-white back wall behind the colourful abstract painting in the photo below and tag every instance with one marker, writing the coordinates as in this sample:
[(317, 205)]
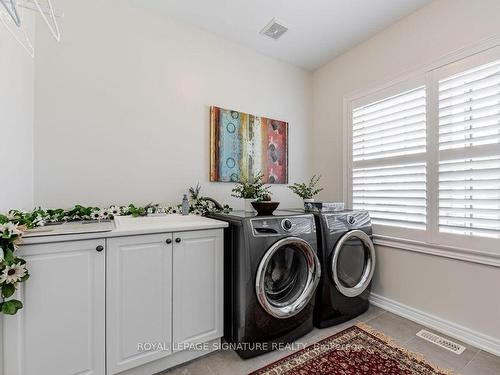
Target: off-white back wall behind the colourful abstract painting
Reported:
[(122, 106)]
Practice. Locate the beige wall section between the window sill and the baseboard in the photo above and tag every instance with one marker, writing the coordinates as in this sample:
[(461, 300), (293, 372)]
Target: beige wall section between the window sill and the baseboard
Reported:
[(461, 292)]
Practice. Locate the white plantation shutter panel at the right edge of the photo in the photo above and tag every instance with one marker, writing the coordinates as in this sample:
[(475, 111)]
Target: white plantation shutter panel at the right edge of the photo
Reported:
[(469, 145)]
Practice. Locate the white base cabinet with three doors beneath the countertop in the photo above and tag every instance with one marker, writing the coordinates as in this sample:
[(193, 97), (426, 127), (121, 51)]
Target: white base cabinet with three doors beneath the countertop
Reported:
[(124, 304)]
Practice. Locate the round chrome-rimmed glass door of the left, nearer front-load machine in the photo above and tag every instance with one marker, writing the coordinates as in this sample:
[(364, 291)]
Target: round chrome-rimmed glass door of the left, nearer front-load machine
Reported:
[(287, 277)]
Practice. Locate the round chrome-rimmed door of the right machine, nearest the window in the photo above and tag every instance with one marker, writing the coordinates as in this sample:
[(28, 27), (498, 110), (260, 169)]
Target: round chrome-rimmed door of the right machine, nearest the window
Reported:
[(353, 263)]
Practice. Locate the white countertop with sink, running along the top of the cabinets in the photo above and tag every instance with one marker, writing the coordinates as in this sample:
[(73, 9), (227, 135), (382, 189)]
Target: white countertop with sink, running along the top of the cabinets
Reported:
[(121, 226)]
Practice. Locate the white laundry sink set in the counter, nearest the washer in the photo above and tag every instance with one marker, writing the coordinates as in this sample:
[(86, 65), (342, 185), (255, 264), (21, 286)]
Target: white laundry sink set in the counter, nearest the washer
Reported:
[(167, 222)]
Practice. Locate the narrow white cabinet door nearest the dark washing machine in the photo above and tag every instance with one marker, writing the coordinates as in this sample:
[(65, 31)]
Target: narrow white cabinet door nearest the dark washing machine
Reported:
[(198, 286)]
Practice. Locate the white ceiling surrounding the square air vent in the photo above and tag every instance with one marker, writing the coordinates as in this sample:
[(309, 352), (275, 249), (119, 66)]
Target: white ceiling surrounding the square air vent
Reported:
[(319, 30)]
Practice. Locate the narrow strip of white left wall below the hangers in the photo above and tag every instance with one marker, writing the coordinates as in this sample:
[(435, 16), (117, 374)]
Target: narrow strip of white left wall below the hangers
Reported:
[(16, 121)]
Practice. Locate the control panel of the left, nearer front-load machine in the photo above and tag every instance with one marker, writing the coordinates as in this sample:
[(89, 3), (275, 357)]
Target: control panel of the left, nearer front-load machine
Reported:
[(294, 225)]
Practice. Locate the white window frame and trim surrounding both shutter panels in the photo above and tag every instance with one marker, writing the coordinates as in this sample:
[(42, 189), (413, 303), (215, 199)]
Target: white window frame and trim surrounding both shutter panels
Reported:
[(430, 240)]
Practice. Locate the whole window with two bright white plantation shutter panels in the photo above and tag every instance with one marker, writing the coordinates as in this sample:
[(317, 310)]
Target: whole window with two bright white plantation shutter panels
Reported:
[(425, 155)]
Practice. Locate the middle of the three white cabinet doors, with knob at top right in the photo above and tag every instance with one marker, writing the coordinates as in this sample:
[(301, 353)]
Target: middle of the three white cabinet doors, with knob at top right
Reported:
[(139, 300)]
